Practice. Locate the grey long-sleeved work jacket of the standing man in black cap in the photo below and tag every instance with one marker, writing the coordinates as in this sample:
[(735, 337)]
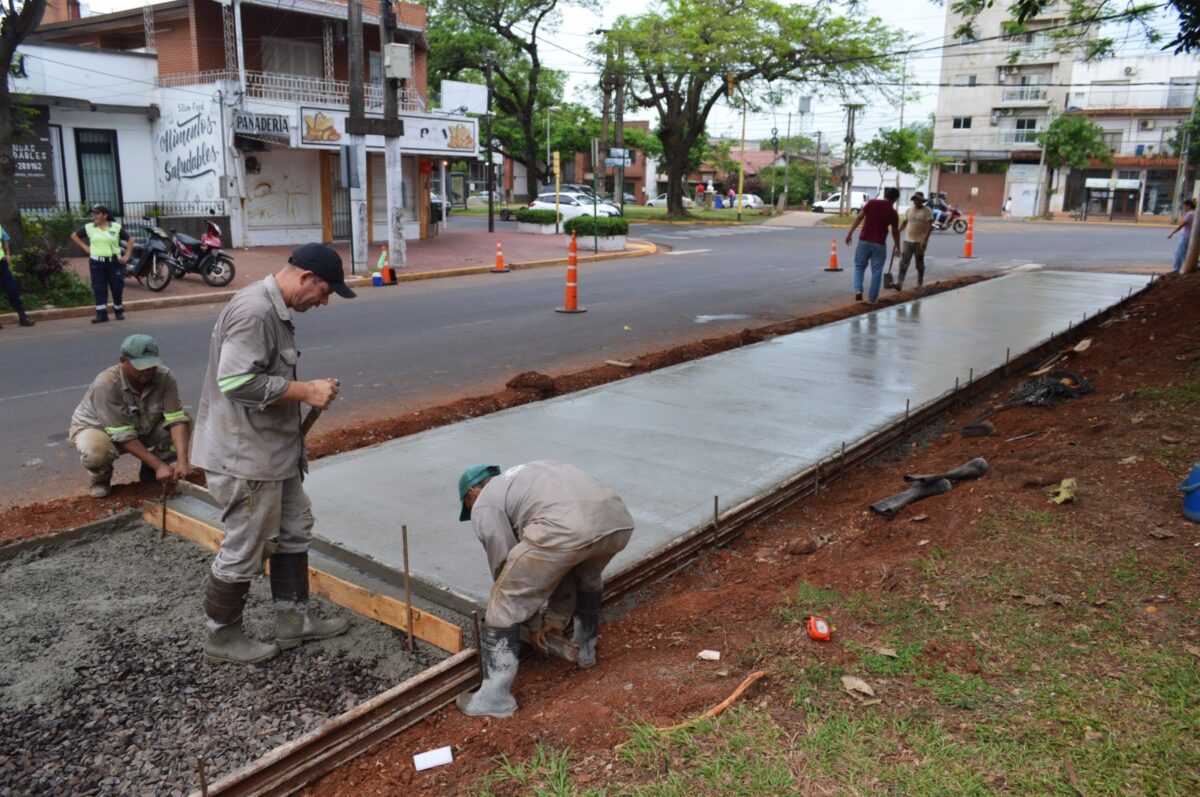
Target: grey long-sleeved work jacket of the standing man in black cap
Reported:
[(241, 432)]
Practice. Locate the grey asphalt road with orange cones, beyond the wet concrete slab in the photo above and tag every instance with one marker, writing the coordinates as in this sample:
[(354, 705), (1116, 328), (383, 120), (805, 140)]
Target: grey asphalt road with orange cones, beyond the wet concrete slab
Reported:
[(427, 343)]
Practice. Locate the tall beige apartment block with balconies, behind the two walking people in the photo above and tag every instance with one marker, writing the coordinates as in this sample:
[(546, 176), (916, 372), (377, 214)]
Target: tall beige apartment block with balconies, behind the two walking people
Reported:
[(997, 97)]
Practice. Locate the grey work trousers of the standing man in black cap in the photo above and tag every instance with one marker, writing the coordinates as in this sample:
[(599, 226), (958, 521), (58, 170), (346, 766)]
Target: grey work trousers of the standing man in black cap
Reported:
[(257, 512)]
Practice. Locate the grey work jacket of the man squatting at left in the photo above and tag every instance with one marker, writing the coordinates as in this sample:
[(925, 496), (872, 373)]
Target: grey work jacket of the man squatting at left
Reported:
[(124, 414)]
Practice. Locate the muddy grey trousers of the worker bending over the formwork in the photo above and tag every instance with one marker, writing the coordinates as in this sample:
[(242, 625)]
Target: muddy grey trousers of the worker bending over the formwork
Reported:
[(532, 576)]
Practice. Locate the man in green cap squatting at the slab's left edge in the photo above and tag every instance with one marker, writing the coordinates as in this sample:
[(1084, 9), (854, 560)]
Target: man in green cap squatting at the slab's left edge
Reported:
[(133, 409)]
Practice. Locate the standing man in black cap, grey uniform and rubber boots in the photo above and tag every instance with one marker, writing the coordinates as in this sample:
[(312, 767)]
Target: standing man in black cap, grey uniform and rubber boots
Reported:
[(249, 441)]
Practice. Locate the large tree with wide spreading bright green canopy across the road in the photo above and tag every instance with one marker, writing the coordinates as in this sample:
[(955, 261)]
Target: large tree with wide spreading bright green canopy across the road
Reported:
[(689, 55)]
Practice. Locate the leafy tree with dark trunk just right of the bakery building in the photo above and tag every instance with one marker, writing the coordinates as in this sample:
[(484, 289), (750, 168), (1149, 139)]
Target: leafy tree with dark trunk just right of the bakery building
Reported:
[(472, 35)]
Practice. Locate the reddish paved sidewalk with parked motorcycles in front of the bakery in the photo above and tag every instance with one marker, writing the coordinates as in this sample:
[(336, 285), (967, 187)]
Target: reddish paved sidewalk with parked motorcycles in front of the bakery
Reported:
[(454, 253)]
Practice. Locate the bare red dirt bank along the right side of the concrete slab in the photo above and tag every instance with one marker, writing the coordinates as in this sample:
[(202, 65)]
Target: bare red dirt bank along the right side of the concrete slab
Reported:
[(649, 669)]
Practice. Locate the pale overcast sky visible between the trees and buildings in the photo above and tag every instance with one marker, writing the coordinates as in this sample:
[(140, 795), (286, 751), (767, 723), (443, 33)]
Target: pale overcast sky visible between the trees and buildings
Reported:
[(567, 50)]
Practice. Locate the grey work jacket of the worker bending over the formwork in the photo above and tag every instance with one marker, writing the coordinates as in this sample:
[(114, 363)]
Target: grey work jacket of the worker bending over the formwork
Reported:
[(549, 505)]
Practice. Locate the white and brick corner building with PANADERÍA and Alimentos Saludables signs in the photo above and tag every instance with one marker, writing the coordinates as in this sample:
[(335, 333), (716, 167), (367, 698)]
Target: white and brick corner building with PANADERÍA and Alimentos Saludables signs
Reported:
[(247, 111)]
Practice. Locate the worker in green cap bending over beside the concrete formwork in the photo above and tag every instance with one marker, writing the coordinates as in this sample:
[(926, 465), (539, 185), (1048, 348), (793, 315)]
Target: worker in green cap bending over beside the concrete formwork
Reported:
[(549, 530)]
